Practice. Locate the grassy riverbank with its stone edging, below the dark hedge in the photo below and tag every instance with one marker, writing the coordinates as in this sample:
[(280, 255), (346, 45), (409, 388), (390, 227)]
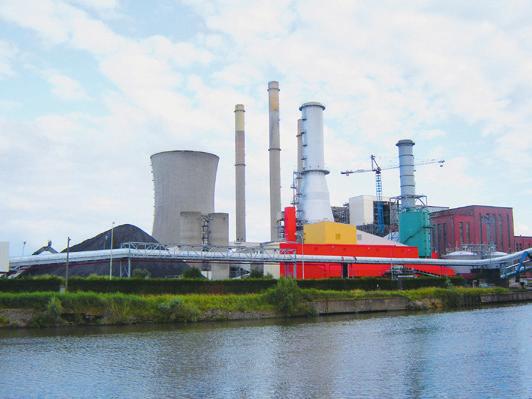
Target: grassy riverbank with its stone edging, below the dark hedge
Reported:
[(44, 309)]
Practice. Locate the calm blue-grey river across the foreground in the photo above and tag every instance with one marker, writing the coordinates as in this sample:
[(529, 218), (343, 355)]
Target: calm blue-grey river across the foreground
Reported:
[(484, 353)]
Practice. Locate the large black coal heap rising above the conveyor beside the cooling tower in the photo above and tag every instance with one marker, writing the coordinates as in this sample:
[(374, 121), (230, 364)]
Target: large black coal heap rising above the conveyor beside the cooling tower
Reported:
[(121, 234)]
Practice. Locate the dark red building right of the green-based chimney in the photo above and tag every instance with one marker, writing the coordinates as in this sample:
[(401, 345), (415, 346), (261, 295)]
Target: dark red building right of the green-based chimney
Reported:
[(474, 224)]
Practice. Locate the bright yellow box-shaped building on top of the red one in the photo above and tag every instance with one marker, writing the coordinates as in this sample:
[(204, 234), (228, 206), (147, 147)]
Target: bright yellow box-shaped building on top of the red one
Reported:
[(329, 233)]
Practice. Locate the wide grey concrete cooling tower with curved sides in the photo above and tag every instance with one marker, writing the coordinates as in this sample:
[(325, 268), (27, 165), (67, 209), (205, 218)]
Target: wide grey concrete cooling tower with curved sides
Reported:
[(184, 181)]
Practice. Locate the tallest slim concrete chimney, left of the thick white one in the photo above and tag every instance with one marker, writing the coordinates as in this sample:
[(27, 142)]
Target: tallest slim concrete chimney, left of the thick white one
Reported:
[(275, 159)]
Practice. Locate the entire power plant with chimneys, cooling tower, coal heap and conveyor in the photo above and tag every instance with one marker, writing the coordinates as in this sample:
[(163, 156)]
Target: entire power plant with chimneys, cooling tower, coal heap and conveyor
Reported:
[(371, 235)]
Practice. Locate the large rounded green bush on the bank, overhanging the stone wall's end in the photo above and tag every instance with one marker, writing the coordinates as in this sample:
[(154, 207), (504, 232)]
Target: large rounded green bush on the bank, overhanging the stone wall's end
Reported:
[(287, 297)]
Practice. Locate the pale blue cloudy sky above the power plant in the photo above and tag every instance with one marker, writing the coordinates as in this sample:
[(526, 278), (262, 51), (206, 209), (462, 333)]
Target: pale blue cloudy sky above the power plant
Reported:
[(90, 89)]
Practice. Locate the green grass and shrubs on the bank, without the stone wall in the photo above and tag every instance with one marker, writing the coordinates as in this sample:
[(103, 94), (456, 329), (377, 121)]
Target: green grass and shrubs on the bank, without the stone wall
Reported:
[(53, 308)]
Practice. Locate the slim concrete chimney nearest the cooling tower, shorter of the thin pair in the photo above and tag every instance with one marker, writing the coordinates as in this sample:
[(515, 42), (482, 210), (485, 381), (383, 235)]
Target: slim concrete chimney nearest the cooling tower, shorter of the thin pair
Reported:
[(240, 174)]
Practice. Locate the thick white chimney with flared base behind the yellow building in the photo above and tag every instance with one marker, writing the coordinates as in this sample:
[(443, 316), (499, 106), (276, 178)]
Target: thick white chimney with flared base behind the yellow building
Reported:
[(315, 202)]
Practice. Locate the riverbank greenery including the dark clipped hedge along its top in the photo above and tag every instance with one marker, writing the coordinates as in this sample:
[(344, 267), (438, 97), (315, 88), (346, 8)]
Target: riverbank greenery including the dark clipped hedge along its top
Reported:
[(23, 306)]
